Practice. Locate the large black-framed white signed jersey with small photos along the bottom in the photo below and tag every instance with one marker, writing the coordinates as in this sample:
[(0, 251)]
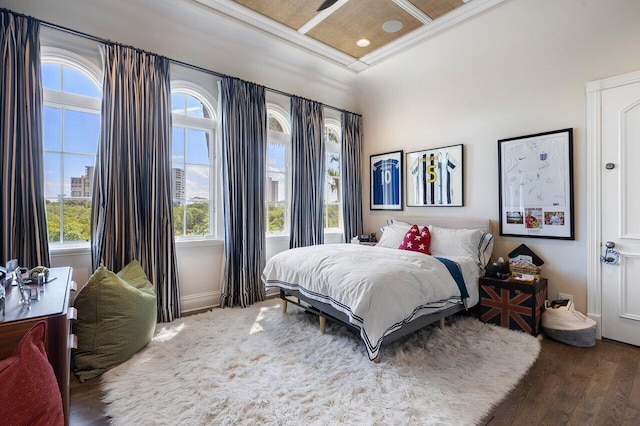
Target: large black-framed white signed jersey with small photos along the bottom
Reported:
[(536, 185)]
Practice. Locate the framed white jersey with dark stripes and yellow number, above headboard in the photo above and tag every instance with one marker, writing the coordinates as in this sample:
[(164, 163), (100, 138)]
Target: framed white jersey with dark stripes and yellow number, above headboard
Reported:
[(434, 177)]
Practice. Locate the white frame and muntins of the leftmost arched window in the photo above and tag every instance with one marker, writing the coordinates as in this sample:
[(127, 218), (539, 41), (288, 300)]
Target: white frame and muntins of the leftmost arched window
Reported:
[(66, 101)]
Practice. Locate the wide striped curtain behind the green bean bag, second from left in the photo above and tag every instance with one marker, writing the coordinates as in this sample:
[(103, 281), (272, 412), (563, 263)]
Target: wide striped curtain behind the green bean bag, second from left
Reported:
[(132, 213)]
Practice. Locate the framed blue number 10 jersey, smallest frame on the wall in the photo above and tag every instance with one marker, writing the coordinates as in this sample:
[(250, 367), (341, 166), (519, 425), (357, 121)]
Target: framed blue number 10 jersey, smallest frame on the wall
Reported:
[(386, 181)]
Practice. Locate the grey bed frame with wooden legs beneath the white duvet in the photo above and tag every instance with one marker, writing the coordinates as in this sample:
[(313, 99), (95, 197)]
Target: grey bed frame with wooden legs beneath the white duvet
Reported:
[(325, 311)]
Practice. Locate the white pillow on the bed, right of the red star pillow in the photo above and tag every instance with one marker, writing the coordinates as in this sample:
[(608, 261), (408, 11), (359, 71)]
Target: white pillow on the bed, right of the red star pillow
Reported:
[(472, 243)]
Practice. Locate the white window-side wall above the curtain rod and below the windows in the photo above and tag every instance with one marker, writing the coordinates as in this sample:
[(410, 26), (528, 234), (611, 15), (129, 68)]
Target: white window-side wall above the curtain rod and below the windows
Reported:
[(189, 32)]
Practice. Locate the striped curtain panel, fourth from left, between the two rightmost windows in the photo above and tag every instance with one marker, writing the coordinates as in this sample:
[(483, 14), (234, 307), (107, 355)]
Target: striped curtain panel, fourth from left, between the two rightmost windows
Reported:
[(308, 170)]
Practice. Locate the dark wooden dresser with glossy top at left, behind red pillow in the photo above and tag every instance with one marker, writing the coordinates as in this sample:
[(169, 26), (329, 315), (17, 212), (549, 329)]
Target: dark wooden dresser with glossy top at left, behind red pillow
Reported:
[(53, 307)]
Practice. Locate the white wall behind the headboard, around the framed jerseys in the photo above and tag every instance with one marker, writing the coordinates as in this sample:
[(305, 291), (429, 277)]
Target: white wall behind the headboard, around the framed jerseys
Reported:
[(518, 69)]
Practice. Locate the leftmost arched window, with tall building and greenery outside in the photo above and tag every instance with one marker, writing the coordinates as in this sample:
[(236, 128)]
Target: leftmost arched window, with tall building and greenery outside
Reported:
[(71, 129)]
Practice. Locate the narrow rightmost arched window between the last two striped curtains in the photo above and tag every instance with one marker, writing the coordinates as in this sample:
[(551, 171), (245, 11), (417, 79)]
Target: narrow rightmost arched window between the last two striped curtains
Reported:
[(332, 187)]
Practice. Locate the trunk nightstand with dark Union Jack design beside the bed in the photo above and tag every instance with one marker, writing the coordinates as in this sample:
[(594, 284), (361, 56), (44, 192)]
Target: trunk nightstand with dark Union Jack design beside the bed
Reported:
[(513, 305)]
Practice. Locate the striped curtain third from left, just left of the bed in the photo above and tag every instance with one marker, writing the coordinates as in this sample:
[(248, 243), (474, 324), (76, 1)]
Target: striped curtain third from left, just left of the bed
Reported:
[(243, 130)]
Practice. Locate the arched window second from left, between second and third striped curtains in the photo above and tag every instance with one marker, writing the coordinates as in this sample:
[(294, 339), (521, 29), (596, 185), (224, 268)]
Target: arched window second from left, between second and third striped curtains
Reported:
[(194, 156)]
